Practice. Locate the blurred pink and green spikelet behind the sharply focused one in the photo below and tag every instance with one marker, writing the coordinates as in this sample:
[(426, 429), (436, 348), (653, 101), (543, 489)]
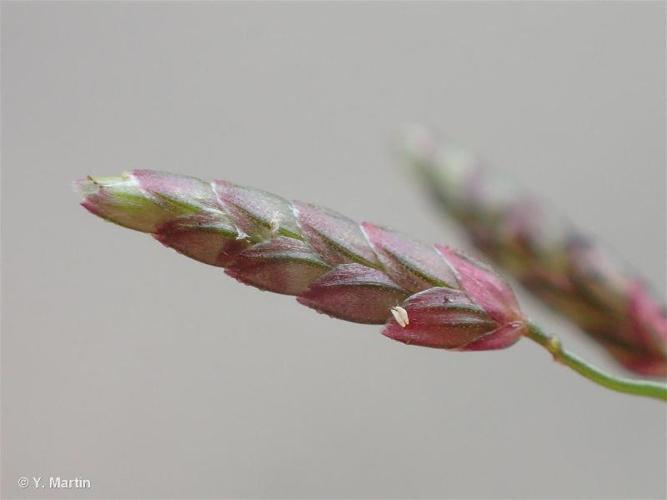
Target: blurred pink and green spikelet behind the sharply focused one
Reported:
[(553, 260)]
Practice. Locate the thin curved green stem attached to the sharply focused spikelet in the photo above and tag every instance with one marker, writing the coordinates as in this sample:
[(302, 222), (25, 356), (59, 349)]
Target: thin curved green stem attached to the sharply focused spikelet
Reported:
[(628, 386)]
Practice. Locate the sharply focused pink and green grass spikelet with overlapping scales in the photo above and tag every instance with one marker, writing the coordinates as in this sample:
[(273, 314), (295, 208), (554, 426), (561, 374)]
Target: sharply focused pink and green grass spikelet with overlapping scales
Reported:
[(423, 294)]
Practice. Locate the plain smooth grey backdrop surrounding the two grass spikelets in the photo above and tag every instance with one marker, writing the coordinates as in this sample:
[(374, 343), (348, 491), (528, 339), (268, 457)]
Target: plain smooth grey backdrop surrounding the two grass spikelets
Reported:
[(155, 376)]
